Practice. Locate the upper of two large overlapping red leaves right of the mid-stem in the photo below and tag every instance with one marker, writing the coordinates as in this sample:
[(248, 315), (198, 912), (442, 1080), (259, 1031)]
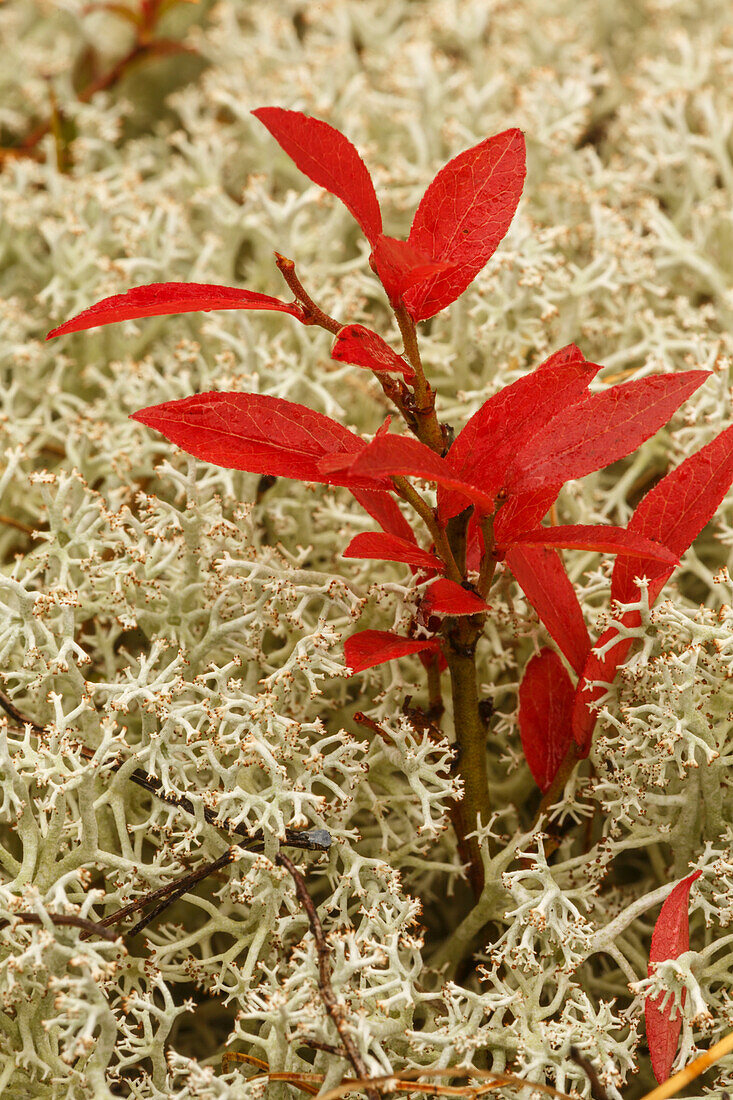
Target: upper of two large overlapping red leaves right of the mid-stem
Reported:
[(486, 448)]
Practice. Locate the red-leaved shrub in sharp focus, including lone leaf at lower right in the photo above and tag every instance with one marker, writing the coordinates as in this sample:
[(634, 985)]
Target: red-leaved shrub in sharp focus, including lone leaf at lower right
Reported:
[(494, 483)]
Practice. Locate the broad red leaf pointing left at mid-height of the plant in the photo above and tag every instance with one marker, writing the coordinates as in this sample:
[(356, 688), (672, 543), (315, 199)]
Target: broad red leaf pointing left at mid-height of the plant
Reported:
[(257, 433)]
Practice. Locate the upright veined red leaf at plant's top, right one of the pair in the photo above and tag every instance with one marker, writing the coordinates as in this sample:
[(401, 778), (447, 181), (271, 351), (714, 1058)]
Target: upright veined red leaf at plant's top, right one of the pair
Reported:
[(464, 215)]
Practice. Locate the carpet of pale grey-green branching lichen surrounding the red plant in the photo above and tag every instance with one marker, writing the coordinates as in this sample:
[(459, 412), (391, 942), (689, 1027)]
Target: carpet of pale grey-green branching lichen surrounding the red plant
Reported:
[(166, 618)]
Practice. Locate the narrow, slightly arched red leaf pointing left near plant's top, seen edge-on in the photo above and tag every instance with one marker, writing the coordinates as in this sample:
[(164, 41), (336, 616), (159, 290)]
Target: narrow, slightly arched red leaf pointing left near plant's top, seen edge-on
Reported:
[(159, 300)]
